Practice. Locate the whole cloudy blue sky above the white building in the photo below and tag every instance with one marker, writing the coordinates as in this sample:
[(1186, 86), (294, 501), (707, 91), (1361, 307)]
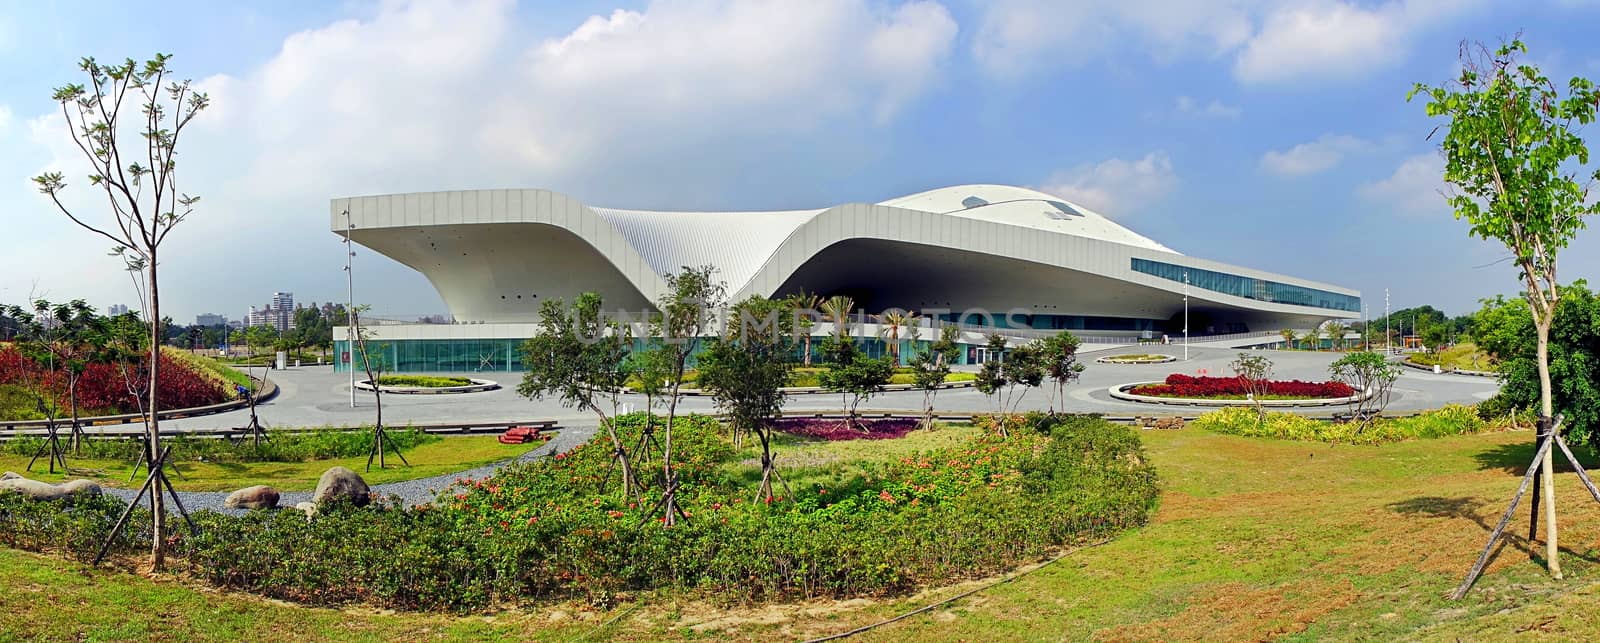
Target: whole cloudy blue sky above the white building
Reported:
[(1271, 135)]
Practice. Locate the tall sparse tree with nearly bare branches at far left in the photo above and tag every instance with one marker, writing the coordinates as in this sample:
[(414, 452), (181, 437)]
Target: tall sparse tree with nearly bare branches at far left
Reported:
[(127, 121)]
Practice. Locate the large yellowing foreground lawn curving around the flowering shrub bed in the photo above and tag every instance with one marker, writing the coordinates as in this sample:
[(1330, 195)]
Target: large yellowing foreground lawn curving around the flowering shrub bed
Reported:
[(1255, 540)]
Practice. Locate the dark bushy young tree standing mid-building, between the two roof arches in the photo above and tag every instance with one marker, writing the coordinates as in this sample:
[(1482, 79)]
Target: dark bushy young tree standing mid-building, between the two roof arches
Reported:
[(746, 370)]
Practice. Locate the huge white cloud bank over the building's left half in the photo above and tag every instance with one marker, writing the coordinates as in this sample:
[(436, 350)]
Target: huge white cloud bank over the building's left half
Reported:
[(660, 106)]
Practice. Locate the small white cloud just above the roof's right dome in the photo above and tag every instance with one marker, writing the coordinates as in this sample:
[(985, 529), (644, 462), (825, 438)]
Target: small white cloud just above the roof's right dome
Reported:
[(1116, 186)]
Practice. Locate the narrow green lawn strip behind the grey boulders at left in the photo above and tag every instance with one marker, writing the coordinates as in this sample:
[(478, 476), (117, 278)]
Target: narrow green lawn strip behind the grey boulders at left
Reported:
[(444, 457)]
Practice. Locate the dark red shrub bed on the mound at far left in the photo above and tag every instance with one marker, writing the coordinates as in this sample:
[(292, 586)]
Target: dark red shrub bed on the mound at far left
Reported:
[(105, 386)]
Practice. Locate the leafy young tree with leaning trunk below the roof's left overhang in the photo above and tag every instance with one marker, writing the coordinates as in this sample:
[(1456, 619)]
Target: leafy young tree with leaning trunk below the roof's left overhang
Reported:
[(580, 357)]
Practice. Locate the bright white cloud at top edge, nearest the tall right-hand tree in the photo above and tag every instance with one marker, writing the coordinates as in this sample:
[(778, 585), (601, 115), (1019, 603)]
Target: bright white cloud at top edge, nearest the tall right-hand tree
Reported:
[(1334, 39)]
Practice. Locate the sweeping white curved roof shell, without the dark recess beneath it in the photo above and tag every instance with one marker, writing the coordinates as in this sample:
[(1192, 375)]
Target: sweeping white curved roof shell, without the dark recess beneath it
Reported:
[(494, 255)]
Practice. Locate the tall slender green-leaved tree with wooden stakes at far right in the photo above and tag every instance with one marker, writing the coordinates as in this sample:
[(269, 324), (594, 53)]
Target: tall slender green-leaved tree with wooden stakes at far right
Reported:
[(1514, 153)]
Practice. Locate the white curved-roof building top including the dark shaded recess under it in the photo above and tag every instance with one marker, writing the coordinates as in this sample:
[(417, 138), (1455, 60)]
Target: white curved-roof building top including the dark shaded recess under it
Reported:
[(495, 255)]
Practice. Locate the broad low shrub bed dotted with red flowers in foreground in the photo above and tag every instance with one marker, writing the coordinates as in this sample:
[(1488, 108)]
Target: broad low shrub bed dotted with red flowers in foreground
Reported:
[(546, 530)]
